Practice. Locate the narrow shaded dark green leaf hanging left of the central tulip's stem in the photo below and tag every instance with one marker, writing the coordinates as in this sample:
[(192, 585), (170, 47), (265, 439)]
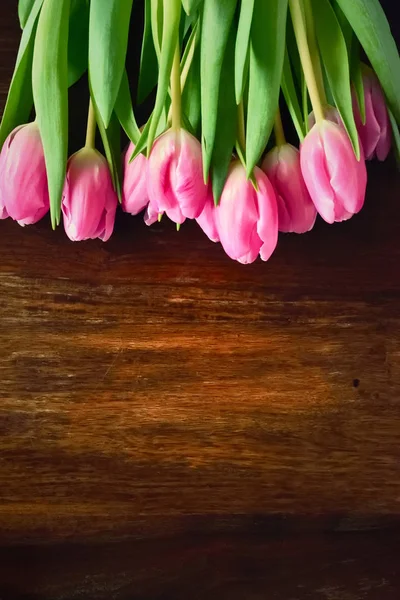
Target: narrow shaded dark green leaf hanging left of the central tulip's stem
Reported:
[(148, 59)]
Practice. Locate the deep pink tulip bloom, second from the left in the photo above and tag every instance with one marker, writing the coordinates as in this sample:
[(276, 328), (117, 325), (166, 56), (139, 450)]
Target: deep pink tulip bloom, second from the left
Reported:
[(89, 199)]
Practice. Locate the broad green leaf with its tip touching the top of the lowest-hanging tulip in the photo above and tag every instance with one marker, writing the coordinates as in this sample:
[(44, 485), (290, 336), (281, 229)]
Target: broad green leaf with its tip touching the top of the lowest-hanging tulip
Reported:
[(267, 50)]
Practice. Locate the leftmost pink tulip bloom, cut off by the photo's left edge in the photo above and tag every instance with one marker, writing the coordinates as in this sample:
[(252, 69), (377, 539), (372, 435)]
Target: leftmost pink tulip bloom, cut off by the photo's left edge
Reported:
[(24, 194)]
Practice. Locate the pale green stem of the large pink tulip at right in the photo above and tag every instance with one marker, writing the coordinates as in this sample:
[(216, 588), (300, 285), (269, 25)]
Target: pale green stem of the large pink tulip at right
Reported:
[(296, 10)]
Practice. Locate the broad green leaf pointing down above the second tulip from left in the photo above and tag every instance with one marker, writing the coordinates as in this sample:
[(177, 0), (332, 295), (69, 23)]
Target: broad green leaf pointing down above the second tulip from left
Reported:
[(108, 42)]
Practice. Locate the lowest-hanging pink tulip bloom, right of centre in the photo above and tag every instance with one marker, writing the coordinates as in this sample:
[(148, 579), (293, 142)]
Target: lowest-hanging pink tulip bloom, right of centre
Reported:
[(246, 219)]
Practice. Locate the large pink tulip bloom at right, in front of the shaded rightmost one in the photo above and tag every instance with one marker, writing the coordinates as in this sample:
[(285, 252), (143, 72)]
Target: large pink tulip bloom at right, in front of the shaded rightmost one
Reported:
[(335, 179)]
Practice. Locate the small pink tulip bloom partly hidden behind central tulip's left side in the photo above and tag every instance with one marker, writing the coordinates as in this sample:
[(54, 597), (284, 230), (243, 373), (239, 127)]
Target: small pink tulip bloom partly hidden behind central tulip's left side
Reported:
[(134, 191)]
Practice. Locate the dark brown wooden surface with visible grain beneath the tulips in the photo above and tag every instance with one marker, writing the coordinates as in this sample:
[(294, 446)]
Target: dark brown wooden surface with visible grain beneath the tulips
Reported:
[(176, 425)]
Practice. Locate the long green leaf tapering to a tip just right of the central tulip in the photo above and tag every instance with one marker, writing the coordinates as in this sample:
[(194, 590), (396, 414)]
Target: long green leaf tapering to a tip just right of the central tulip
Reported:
[(216, 24)]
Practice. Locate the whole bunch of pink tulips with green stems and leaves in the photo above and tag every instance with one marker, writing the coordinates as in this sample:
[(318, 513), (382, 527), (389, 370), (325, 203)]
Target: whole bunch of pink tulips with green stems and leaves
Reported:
[(219, 73)]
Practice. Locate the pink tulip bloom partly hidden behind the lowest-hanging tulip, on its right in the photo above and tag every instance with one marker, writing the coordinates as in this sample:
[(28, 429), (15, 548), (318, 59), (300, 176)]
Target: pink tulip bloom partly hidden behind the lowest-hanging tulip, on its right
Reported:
[(296, 212)]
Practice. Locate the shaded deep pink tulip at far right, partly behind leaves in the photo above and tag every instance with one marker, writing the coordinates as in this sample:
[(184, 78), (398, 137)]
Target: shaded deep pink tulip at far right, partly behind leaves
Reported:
[(375, 135)]
